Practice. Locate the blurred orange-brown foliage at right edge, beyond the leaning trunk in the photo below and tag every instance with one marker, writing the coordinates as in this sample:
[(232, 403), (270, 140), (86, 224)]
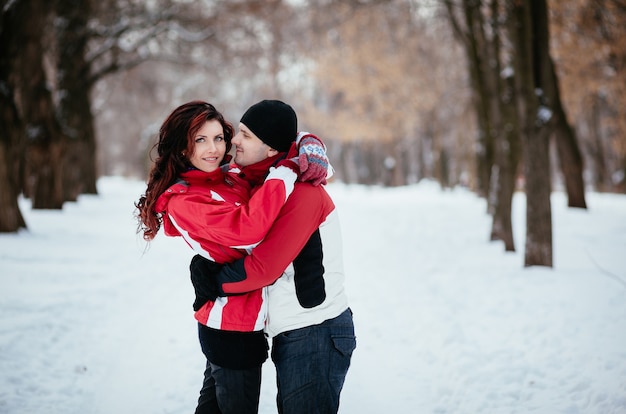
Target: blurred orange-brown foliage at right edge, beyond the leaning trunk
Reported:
[(592, 89)]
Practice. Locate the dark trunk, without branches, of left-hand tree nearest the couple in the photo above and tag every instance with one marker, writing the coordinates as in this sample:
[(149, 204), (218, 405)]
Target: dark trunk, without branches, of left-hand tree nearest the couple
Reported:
[(75, 116)]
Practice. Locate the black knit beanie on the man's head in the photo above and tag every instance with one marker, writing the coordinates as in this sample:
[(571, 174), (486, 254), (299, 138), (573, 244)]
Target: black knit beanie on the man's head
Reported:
[(274, 122)]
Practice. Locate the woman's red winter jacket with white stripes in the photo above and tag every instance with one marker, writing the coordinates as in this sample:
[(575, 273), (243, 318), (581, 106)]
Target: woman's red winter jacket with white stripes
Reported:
[(218, 219)]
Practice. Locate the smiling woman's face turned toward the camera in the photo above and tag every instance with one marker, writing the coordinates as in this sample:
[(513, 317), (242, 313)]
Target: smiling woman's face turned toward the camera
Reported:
[(209, 147)]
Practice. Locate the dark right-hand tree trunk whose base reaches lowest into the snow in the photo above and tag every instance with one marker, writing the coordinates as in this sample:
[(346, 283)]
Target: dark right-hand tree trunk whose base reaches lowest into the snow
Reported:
[(526, 39)]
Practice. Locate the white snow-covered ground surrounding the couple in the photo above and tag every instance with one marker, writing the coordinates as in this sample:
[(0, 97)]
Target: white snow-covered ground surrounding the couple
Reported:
[(447, 322)]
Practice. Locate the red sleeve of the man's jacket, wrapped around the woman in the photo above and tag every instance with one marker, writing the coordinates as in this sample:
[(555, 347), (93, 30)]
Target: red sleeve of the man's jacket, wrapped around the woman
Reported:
[(303, 213)]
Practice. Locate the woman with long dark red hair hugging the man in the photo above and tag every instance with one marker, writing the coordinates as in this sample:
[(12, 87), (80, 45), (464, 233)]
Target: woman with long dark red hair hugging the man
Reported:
[(192, 194)]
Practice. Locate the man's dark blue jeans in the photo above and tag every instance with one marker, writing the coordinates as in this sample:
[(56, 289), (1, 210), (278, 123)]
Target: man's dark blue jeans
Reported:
[(311, 365)]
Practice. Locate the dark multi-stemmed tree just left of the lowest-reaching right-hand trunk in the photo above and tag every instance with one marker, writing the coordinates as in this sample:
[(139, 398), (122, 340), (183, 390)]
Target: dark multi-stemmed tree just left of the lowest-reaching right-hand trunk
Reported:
[(477, 25)]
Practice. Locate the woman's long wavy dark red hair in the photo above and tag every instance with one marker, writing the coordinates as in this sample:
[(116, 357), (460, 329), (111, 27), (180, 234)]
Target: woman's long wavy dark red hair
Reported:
[(174, 147)]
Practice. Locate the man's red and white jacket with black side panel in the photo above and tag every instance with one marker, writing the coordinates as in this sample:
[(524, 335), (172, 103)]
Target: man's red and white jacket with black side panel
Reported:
[(300, 261)]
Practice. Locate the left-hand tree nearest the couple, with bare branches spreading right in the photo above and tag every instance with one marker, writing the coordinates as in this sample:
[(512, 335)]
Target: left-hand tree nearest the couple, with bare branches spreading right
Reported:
[(94, 40)]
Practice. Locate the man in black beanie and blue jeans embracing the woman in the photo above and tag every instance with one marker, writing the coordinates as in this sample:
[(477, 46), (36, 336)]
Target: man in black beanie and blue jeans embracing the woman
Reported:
[(300, 260)]
